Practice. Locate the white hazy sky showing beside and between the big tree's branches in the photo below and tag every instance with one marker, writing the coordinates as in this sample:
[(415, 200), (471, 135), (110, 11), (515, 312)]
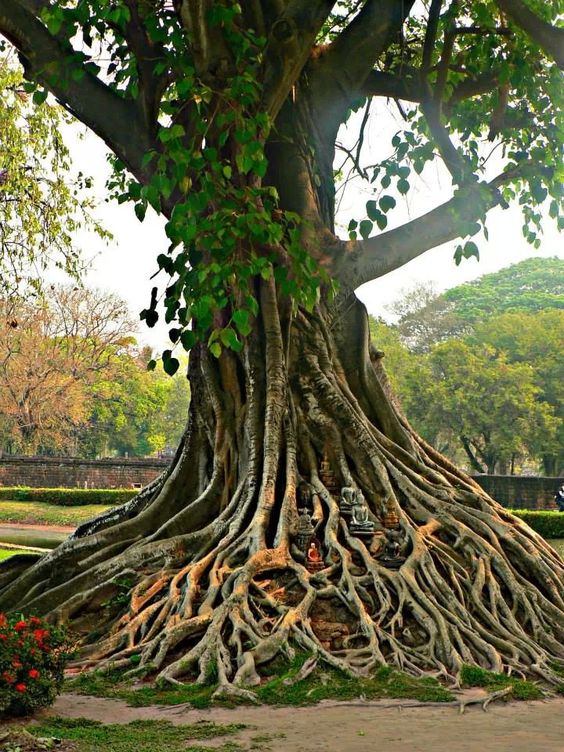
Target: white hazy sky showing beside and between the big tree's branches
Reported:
[(127, 263)]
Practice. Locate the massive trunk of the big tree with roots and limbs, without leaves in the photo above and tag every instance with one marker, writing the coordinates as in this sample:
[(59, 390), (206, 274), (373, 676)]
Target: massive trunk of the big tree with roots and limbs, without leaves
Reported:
[(257, 538)]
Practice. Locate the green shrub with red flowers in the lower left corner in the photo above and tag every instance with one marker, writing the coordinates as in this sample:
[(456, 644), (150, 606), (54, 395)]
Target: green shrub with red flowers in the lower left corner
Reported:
[(32, 660)]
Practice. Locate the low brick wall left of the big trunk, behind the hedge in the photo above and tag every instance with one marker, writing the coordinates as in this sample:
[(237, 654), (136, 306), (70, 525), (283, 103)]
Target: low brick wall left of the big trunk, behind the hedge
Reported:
[(70, 472)]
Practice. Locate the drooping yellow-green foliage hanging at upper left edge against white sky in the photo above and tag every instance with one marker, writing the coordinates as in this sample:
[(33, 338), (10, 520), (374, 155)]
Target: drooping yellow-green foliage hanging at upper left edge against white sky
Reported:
[(42, 203)]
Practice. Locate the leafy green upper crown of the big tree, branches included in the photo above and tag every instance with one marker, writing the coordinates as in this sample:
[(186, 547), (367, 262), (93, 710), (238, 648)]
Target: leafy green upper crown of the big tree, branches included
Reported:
[(186, 94)]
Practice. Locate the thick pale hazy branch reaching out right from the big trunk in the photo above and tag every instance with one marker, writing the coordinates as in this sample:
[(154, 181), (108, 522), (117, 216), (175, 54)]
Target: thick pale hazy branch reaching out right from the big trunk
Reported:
[(370, 259)]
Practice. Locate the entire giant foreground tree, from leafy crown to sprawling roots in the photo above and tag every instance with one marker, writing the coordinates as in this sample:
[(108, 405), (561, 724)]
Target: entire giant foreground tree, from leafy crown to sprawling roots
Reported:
[(224, 117)]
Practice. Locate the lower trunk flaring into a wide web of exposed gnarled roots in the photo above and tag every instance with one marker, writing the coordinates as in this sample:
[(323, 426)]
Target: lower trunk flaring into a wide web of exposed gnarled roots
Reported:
[(202, 575)]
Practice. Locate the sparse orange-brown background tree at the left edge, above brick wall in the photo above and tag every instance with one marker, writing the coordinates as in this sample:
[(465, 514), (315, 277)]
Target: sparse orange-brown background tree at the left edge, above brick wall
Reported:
[(50, 350)]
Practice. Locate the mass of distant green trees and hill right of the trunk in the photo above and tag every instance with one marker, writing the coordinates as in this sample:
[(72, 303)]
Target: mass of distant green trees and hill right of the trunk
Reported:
[(479, 369)]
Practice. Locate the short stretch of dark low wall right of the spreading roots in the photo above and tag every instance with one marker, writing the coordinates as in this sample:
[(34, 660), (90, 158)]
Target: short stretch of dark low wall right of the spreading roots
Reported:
[(521, 492)]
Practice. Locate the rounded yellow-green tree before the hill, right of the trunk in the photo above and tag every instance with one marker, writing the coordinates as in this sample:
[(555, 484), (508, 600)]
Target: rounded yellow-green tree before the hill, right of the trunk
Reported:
[(470, 397)]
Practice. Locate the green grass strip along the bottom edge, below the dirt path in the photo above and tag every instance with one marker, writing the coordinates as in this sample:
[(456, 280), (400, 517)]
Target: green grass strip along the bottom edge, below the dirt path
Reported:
[(138, 736)]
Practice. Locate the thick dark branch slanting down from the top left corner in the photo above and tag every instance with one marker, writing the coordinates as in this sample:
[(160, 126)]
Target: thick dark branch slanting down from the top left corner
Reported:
[(116, 120)]
